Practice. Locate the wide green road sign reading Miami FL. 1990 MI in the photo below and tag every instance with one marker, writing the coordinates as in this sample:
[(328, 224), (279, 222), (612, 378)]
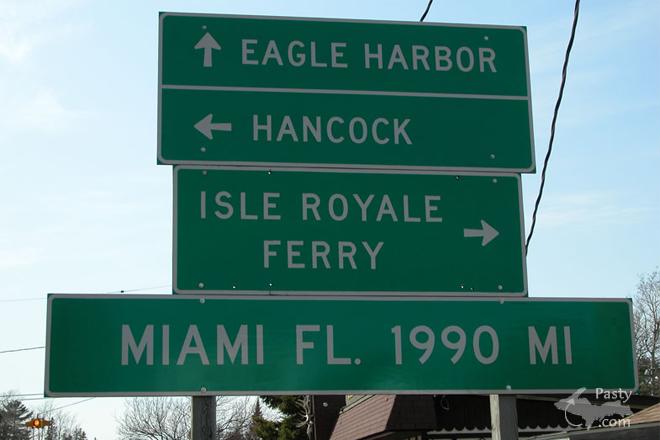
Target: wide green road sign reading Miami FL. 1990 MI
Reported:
[(122, 345)]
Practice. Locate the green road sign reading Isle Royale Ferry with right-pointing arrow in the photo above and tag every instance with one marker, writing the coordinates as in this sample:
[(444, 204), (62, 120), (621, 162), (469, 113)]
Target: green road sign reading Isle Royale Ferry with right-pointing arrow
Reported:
[(280, 231)]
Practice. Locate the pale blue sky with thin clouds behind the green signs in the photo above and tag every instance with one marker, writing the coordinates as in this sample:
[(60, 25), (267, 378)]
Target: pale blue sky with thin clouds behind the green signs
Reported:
[(86, 209)]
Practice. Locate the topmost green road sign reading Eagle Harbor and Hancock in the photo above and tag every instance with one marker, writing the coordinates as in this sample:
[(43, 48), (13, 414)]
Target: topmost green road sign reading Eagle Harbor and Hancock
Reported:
[(237, 90)]
